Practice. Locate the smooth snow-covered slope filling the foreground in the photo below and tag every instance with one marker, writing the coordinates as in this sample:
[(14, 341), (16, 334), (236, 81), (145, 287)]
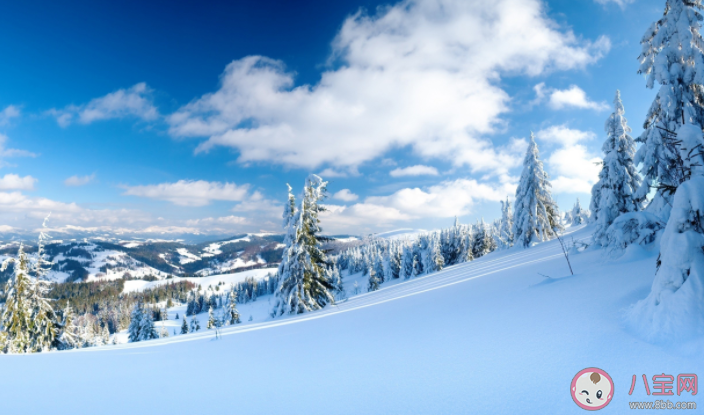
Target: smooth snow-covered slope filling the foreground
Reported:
[(488, 337)]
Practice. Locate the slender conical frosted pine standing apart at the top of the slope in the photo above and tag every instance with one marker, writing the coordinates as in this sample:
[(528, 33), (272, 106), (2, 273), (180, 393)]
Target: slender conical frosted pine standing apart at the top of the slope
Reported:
[(536, 217)]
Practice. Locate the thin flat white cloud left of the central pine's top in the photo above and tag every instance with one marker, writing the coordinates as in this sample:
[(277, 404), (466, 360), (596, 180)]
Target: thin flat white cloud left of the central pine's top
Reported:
[(190, 192)]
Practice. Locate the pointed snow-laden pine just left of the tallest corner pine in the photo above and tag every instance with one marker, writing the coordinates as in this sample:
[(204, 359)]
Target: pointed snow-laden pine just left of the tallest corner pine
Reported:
[(617, 191)]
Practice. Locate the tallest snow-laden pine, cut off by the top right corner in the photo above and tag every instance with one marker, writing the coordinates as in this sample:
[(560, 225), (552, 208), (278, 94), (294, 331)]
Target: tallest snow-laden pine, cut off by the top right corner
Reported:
[(672, 56)]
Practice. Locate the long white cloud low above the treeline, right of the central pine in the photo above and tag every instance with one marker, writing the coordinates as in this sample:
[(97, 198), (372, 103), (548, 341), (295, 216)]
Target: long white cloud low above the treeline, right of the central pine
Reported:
[(444, 200)]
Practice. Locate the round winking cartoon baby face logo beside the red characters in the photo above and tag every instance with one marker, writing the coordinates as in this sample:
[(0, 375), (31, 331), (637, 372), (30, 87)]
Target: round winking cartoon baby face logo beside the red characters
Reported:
[(592, 389)]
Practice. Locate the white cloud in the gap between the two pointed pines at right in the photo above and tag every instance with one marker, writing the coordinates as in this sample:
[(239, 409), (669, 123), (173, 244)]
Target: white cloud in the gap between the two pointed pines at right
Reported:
[(573, 168)]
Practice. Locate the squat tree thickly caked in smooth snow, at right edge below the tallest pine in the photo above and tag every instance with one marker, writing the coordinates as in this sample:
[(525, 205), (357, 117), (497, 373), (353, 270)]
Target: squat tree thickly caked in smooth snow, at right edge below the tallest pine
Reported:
[(675, 306)]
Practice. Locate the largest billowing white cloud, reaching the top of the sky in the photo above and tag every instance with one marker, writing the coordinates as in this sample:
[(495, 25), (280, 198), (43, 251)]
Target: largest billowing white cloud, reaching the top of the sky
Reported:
[(423, 74)]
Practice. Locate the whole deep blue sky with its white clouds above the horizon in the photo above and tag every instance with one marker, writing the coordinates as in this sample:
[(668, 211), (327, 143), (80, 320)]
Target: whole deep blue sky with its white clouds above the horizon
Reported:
[(181, 117)]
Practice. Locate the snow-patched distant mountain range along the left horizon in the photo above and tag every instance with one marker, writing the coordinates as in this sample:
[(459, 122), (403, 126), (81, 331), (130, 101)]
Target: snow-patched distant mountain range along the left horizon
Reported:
[(108, 257)]
